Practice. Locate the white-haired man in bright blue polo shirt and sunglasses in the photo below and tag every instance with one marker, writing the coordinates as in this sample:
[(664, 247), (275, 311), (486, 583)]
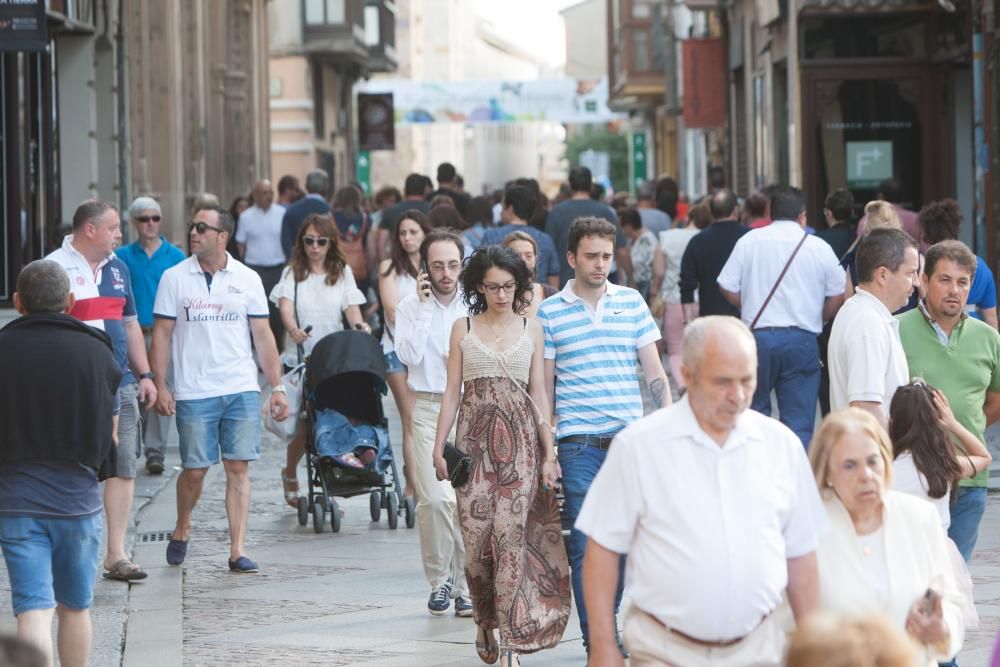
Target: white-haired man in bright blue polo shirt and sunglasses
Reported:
[(147, 258)]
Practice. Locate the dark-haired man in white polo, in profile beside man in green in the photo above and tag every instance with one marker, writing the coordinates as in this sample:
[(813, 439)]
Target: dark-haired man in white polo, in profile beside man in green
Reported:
[(867, 360)]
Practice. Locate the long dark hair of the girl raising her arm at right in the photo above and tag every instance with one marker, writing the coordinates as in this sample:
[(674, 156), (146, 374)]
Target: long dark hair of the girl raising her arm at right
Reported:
[(914, 427)]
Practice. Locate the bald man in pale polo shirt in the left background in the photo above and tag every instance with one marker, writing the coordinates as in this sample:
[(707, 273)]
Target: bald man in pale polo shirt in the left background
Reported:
[(258, 238)]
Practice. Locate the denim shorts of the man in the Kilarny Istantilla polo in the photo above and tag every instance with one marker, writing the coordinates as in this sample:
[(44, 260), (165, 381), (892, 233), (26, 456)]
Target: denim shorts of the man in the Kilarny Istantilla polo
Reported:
[(228, 424)]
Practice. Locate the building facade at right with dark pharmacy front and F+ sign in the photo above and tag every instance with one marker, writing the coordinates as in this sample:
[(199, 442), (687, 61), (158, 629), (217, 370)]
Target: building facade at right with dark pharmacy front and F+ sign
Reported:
[(838, 93)]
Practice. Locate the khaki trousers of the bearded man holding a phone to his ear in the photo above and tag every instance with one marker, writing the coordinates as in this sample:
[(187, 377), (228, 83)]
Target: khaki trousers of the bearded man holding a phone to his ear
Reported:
[(441, 545)]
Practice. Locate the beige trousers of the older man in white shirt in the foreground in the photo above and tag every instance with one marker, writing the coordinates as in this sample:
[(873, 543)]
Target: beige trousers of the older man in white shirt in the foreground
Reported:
[(652, 644)]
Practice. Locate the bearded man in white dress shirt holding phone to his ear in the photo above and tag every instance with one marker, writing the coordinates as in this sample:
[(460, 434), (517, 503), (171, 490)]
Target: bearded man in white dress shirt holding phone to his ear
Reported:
[(423, 329)]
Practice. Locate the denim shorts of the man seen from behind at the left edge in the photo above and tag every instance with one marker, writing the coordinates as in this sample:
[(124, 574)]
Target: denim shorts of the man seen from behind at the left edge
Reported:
[(51, 561)]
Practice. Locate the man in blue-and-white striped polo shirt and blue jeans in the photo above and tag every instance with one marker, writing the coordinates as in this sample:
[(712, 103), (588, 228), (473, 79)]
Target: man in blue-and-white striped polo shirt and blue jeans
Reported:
[(594, 331)]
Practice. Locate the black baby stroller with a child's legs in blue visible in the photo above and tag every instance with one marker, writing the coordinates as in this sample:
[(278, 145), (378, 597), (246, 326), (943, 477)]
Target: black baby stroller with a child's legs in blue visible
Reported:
[(344, 385)]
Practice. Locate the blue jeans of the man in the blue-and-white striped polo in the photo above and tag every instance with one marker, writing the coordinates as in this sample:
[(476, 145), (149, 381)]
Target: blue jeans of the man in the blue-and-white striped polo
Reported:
[(580, 464)]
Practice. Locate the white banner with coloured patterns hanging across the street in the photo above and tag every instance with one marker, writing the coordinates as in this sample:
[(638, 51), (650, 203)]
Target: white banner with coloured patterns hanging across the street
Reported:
[(553, 100)]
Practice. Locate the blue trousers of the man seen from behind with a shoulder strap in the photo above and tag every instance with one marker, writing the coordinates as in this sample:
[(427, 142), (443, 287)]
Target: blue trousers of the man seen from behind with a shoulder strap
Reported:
[(788, 363)]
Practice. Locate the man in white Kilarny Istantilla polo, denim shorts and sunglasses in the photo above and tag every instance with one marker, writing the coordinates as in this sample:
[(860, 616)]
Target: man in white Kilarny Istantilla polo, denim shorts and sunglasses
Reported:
[(208, 309)]
